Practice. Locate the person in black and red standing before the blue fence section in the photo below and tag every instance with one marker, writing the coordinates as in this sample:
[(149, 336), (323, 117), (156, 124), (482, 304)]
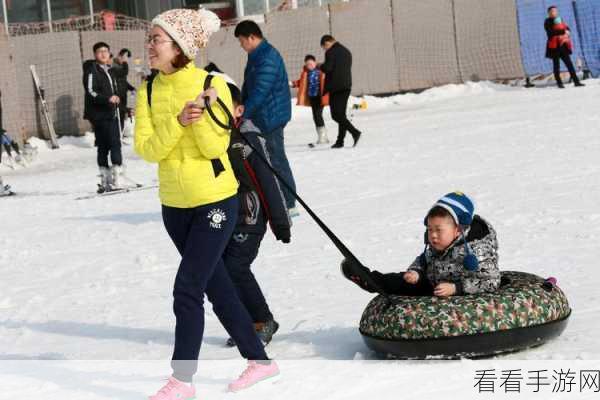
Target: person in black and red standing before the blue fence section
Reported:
[(559, 45)]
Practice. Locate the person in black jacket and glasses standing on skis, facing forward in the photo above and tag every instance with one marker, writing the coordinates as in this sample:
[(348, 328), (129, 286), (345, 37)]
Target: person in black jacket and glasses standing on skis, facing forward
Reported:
[(101, 108)]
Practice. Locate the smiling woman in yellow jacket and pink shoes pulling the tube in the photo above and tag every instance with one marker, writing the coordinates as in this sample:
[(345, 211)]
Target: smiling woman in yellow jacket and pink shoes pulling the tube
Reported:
[(198, 192)]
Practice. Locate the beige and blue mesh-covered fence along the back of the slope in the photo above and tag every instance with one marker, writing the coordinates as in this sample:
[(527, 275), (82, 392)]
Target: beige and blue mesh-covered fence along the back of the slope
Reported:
[(398, 45)]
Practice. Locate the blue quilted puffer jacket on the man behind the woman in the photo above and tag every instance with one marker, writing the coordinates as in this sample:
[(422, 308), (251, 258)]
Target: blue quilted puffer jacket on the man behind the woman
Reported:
[(266, 92)]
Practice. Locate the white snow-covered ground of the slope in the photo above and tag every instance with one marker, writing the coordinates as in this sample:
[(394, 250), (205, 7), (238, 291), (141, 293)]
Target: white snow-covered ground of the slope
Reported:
[(92, 279)]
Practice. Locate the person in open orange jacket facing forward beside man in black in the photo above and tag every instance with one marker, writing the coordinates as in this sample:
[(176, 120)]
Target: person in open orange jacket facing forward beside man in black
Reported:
[(311, 87)]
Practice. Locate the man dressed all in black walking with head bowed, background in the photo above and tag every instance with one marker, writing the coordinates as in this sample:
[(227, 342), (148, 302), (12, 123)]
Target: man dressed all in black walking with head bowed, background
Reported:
[(338, 83)]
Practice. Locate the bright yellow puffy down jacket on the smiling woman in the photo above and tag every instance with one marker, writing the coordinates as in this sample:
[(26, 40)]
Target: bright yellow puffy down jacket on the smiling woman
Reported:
[(184, 154)]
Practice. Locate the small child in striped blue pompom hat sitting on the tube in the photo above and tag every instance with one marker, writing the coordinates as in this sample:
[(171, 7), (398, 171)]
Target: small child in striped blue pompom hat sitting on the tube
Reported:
[(460, 256)]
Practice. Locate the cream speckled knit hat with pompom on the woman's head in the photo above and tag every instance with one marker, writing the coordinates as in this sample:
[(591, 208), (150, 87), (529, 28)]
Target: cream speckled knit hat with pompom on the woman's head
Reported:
[(190, 29)]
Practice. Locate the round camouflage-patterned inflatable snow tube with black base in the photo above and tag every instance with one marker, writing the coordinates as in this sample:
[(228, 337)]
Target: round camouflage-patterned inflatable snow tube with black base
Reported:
[(526, 311)]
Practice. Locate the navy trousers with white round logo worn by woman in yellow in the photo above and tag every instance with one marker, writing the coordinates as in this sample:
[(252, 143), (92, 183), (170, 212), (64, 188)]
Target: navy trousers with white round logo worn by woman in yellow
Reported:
[(200, 238)]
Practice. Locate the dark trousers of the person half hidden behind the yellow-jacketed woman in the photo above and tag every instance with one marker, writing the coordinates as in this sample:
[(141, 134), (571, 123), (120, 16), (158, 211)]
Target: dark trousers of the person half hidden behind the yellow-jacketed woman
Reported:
[(238, 257)]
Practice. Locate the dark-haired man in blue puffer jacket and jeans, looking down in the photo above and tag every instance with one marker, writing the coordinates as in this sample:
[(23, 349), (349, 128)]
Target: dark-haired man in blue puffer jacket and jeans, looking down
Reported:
[(266, 98)]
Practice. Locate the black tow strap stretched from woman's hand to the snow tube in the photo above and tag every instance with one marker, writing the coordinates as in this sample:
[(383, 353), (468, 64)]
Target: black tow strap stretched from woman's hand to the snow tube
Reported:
[(352, 262)]
